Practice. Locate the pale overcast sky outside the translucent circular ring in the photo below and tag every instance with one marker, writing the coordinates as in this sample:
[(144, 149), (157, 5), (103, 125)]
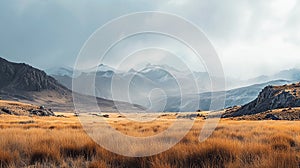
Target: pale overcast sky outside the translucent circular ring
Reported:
[(251, 37)]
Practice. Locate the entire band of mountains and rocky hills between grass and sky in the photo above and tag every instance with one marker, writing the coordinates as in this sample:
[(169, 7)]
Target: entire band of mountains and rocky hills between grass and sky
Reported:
[(22, 82)]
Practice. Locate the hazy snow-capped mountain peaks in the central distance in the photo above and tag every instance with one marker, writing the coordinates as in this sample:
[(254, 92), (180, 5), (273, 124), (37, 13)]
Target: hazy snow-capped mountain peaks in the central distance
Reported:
[(140, 83)]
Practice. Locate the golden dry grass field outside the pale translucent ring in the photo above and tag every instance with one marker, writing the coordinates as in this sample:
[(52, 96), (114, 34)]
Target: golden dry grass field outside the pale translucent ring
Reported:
[(61, 142)]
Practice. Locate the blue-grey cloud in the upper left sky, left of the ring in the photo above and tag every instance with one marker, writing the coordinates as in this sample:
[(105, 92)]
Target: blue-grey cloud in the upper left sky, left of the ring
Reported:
[(42, 32)]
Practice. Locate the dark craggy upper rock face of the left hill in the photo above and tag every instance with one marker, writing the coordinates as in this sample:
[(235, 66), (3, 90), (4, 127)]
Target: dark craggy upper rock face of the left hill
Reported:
[(22, 77)]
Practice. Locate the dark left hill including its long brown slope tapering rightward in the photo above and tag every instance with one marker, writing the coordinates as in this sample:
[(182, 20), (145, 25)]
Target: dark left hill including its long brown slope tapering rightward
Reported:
[(24, 83)]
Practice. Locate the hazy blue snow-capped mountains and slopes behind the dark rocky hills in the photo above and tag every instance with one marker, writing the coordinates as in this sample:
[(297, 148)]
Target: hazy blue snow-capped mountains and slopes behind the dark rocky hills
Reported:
[(162, 87)]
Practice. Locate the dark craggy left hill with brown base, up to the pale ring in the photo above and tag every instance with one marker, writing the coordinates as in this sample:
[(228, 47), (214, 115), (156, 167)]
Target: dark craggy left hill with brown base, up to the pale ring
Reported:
[(22, 82)]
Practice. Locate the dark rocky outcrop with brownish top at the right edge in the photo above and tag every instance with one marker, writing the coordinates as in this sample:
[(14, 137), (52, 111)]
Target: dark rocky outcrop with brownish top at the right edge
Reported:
[(270, 98)]
